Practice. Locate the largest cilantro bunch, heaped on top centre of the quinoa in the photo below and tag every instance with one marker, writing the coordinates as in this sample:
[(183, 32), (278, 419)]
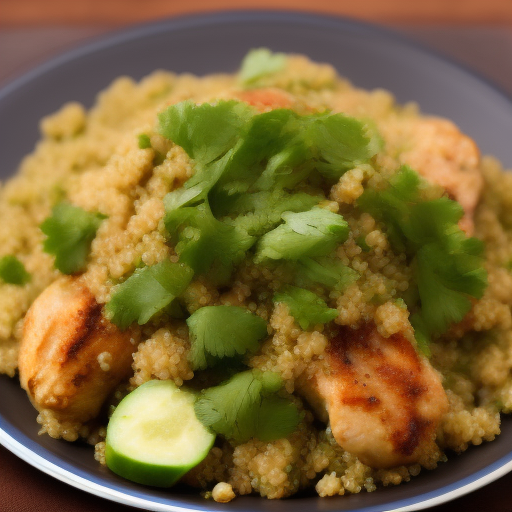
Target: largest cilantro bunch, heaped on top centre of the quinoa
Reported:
[(245, 162)]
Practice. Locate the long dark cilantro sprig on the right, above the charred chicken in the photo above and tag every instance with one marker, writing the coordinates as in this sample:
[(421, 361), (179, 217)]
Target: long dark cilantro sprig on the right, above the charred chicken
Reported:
[(448, 266)]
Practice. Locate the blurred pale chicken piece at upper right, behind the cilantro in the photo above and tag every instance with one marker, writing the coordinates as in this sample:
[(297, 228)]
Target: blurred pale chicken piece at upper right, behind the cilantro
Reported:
[(446, 157)]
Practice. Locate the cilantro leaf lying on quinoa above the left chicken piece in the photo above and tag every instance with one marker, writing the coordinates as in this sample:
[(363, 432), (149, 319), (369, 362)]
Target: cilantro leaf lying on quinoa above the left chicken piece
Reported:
[(70, 232)]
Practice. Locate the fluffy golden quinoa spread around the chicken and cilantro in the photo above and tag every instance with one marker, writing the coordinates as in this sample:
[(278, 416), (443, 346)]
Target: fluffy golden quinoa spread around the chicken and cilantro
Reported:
[(94, 160)]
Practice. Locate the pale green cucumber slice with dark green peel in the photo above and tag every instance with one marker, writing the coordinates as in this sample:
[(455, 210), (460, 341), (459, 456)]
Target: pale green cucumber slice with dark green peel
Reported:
[(154, 436)]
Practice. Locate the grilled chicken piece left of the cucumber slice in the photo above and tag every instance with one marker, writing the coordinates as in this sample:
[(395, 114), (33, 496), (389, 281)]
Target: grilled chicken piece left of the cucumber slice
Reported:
[(64, 332)]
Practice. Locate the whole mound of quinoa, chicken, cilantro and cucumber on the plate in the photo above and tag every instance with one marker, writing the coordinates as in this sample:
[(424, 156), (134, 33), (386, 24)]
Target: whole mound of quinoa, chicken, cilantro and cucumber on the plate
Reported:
[(259, 282)]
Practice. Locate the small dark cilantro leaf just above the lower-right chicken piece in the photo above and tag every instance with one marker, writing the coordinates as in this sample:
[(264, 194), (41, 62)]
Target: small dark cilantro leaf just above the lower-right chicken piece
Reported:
[(306, 307)]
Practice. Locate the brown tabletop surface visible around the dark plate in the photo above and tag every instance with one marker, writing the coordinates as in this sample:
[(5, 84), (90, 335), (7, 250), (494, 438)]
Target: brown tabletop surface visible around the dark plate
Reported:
[(477, 33)]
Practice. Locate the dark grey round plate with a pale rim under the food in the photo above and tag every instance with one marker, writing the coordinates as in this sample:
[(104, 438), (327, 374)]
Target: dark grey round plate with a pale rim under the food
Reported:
[(369, 57)]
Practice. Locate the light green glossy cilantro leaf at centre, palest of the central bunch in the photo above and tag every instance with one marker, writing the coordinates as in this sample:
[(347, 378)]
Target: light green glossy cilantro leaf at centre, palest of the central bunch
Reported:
[(305, 234)]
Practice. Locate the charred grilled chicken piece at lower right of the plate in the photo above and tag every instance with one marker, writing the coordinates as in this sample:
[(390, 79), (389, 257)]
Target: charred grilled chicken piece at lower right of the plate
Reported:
[(384, 401)]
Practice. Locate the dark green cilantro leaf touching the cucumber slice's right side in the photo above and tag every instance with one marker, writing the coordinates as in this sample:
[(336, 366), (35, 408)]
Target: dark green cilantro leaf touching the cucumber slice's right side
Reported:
[(246, 406)]
